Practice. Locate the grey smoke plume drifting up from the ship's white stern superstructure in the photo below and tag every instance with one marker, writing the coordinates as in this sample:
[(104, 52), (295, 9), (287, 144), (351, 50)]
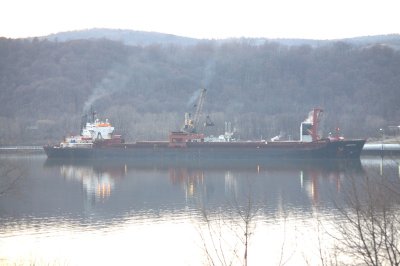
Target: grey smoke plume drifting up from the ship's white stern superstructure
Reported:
[(115, 80)]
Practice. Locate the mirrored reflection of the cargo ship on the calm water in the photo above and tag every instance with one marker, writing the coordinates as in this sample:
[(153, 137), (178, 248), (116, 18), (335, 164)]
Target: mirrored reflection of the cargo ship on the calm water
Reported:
[(201, 181)]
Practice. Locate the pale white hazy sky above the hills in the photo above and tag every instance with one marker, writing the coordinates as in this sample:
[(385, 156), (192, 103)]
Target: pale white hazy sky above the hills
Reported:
[(311, 19)]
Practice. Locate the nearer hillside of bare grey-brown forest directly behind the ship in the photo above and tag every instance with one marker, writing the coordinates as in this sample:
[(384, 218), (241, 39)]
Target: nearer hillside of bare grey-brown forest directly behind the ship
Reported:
[(263, 89)]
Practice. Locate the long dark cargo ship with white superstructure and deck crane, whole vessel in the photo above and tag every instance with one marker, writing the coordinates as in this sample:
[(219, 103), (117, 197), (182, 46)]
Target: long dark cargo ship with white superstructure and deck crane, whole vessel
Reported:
[(98, 141)]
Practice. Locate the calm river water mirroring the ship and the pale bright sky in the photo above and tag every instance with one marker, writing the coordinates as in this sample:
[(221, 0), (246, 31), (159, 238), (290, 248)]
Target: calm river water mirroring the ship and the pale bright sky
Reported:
[(129, 213)]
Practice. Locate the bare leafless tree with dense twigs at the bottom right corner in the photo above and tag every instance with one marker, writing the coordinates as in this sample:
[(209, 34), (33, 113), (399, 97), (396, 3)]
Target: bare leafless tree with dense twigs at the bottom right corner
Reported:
[(369, 224)]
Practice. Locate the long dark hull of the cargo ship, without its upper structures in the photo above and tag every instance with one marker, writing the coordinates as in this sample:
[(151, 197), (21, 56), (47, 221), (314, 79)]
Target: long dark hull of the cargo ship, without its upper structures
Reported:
[(334, 149)]
